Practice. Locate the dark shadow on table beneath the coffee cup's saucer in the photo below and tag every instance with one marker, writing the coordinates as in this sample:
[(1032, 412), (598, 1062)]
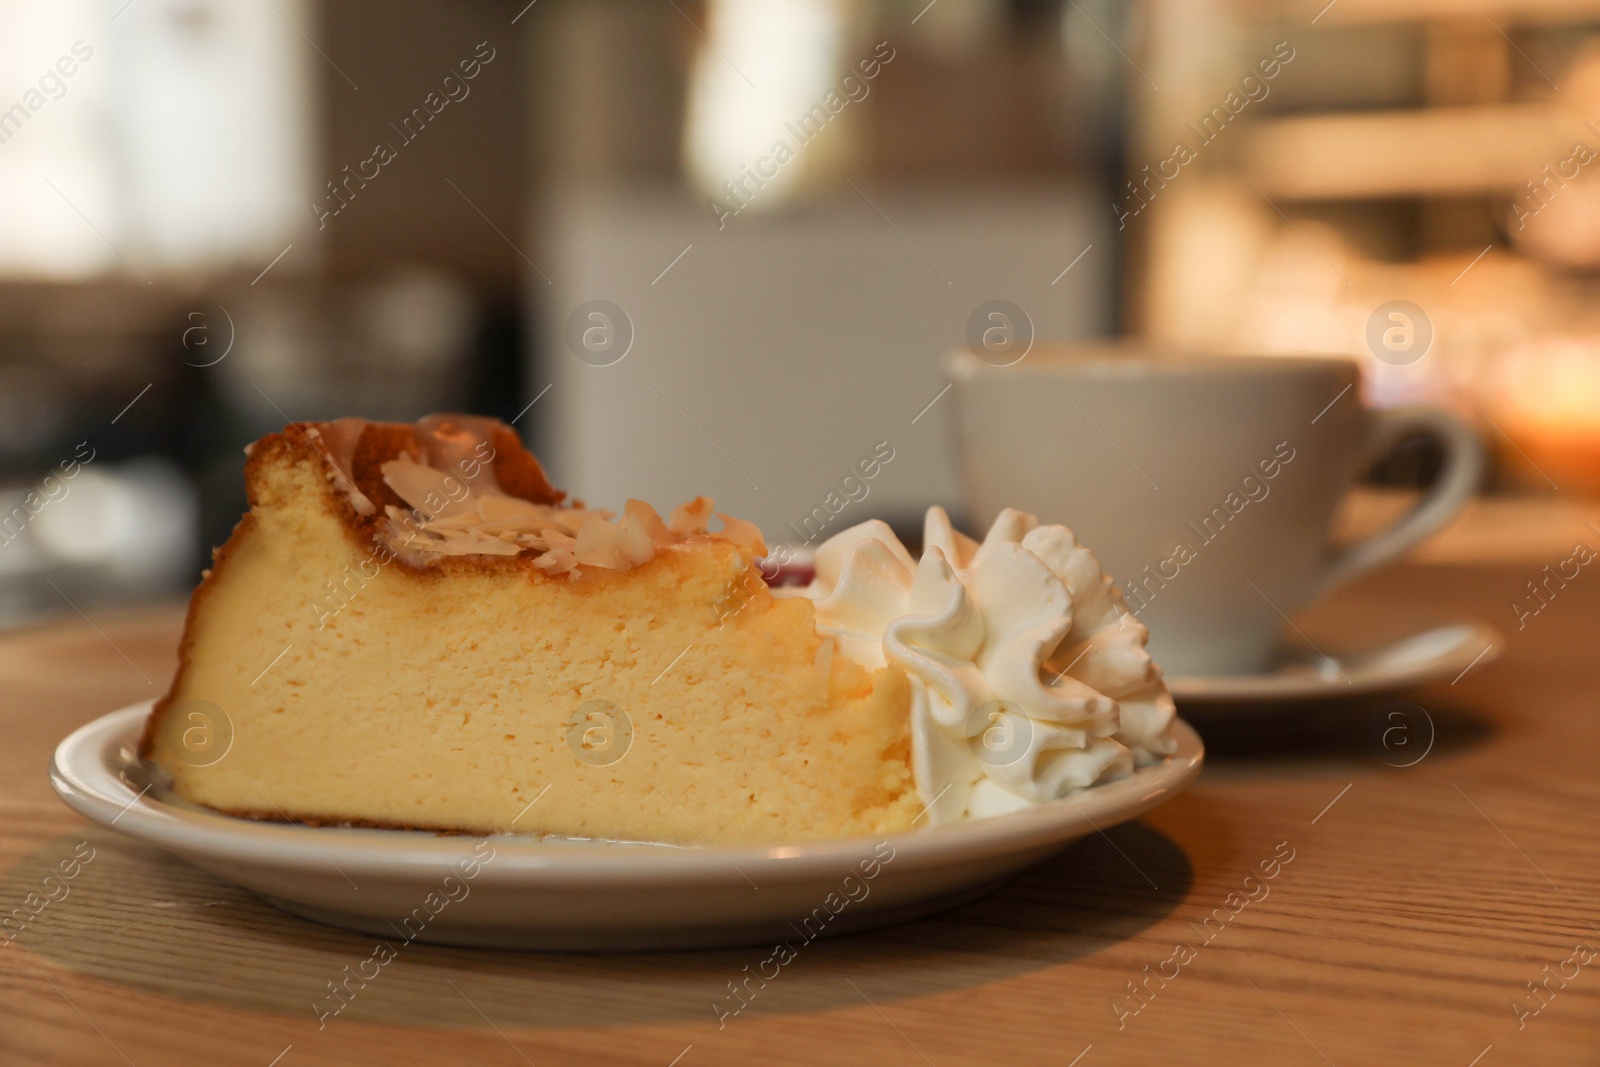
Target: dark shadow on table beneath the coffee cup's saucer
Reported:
[(1393, 732)]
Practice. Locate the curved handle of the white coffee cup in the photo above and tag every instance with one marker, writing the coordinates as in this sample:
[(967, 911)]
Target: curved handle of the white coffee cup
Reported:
[(1444, 500)]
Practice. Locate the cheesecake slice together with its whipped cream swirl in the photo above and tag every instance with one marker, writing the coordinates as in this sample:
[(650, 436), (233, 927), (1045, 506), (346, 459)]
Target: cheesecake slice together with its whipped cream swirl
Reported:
[(412, 628)]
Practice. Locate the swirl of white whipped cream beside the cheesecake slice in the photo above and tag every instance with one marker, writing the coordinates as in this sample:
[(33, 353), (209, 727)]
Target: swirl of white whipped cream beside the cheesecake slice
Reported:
[(1030, 677)]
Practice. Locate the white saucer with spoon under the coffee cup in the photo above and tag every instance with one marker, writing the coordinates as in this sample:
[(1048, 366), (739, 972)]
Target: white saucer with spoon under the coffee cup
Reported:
[(1393, 655)]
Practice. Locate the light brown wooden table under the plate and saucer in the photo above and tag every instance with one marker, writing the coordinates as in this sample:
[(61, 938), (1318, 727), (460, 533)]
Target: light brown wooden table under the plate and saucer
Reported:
[(1418, 906)]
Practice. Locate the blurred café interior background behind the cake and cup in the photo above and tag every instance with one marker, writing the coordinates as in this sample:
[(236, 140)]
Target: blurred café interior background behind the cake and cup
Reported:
[(721, 247)]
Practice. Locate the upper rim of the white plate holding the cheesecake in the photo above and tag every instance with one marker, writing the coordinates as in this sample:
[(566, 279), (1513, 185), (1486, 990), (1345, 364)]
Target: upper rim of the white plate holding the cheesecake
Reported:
[(87, 773)]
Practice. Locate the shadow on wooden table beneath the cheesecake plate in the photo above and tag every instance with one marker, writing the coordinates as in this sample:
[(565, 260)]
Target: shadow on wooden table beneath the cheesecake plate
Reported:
[(146, 921)]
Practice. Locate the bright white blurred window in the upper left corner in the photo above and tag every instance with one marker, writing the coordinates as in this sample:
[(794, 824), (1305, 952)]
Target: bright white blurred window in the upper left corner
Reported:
[(170, 138)]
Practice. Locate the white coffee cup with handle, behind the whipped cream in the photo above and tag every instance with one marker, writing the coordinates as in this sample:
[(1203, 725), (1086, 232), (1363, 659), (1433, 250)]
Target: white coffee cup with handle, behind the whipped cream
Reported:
[(1207, 486)]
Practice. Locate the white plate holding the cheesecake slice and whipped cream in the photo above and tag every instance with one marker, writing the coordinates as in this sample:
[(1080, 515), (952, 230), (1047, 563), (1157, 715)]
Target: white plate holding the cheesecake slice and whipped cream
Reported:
[(545, 893)]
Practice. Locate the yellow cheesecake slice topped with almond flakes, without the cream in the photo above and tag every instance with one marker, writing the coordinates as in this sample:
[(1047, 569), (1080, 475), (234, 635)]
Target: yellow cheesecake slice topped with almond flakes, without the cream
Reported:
[(414, 629)]
